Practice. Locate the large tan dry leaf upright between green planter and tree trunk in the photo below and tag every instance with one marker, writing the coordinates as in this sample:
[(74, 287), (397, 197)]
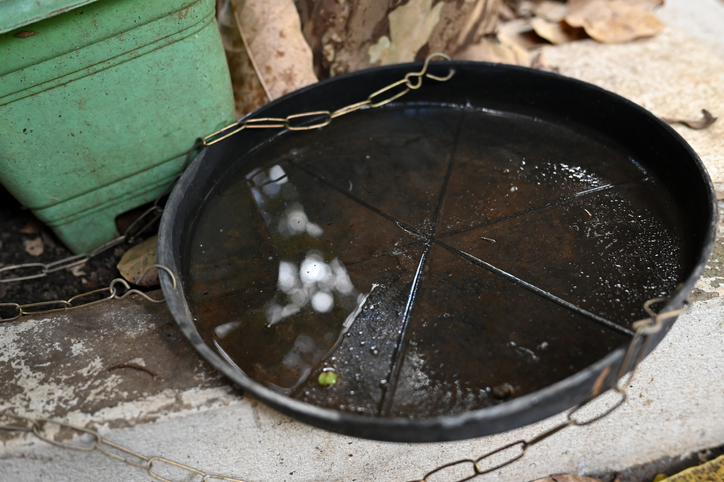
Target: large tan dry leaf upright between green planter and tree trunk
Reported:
[(273, 35)]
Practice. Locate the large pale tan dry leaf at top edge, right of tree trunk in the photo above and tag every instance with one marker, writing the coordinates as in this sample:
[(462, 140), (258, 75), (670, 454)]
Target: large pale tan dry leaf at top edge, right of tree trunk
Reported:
[(612, 21)]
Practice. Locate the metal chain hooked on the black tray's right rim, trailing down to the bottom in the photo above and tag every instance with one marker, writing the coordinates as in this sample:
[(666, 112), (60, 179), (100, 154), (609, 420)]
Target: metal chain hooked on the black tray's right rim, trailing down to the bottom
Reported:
[(512, 452)]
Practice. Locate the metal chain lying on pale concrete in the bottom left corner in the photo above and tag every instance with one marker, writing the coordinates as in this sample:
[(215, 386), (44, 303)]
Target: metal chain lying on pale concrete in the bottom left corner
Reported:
[(154, 466)]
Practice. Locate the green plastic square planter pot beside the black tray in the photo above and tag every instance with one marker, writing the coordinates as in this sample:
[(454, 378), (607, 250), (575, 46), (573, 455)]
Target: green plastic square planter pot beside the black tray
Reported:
[(99, 103)]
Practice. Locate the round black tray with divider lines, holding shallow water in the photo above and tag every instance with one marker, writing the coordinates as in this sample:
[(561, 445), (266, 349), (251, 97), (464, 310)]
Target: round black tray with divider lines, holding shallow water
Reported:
[(465, 260)]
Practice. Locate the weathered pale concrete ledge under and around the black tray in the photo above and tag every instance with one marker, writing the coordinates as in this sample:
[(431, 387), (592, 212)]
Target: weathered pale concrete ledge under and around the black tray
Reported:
[(57, 366)]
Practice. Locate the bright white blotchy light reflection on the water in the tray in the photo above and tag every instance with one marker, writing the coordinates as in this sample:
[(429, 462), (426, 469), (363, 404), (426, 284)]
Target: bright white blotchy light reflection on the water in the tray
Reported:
[(313, 291)]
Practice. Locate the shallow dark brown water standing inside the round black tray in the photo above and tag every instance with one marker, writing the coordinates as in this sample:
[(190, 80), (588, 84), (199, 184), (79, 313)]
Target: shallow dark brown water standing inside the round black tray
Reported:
[(428, 260)]
